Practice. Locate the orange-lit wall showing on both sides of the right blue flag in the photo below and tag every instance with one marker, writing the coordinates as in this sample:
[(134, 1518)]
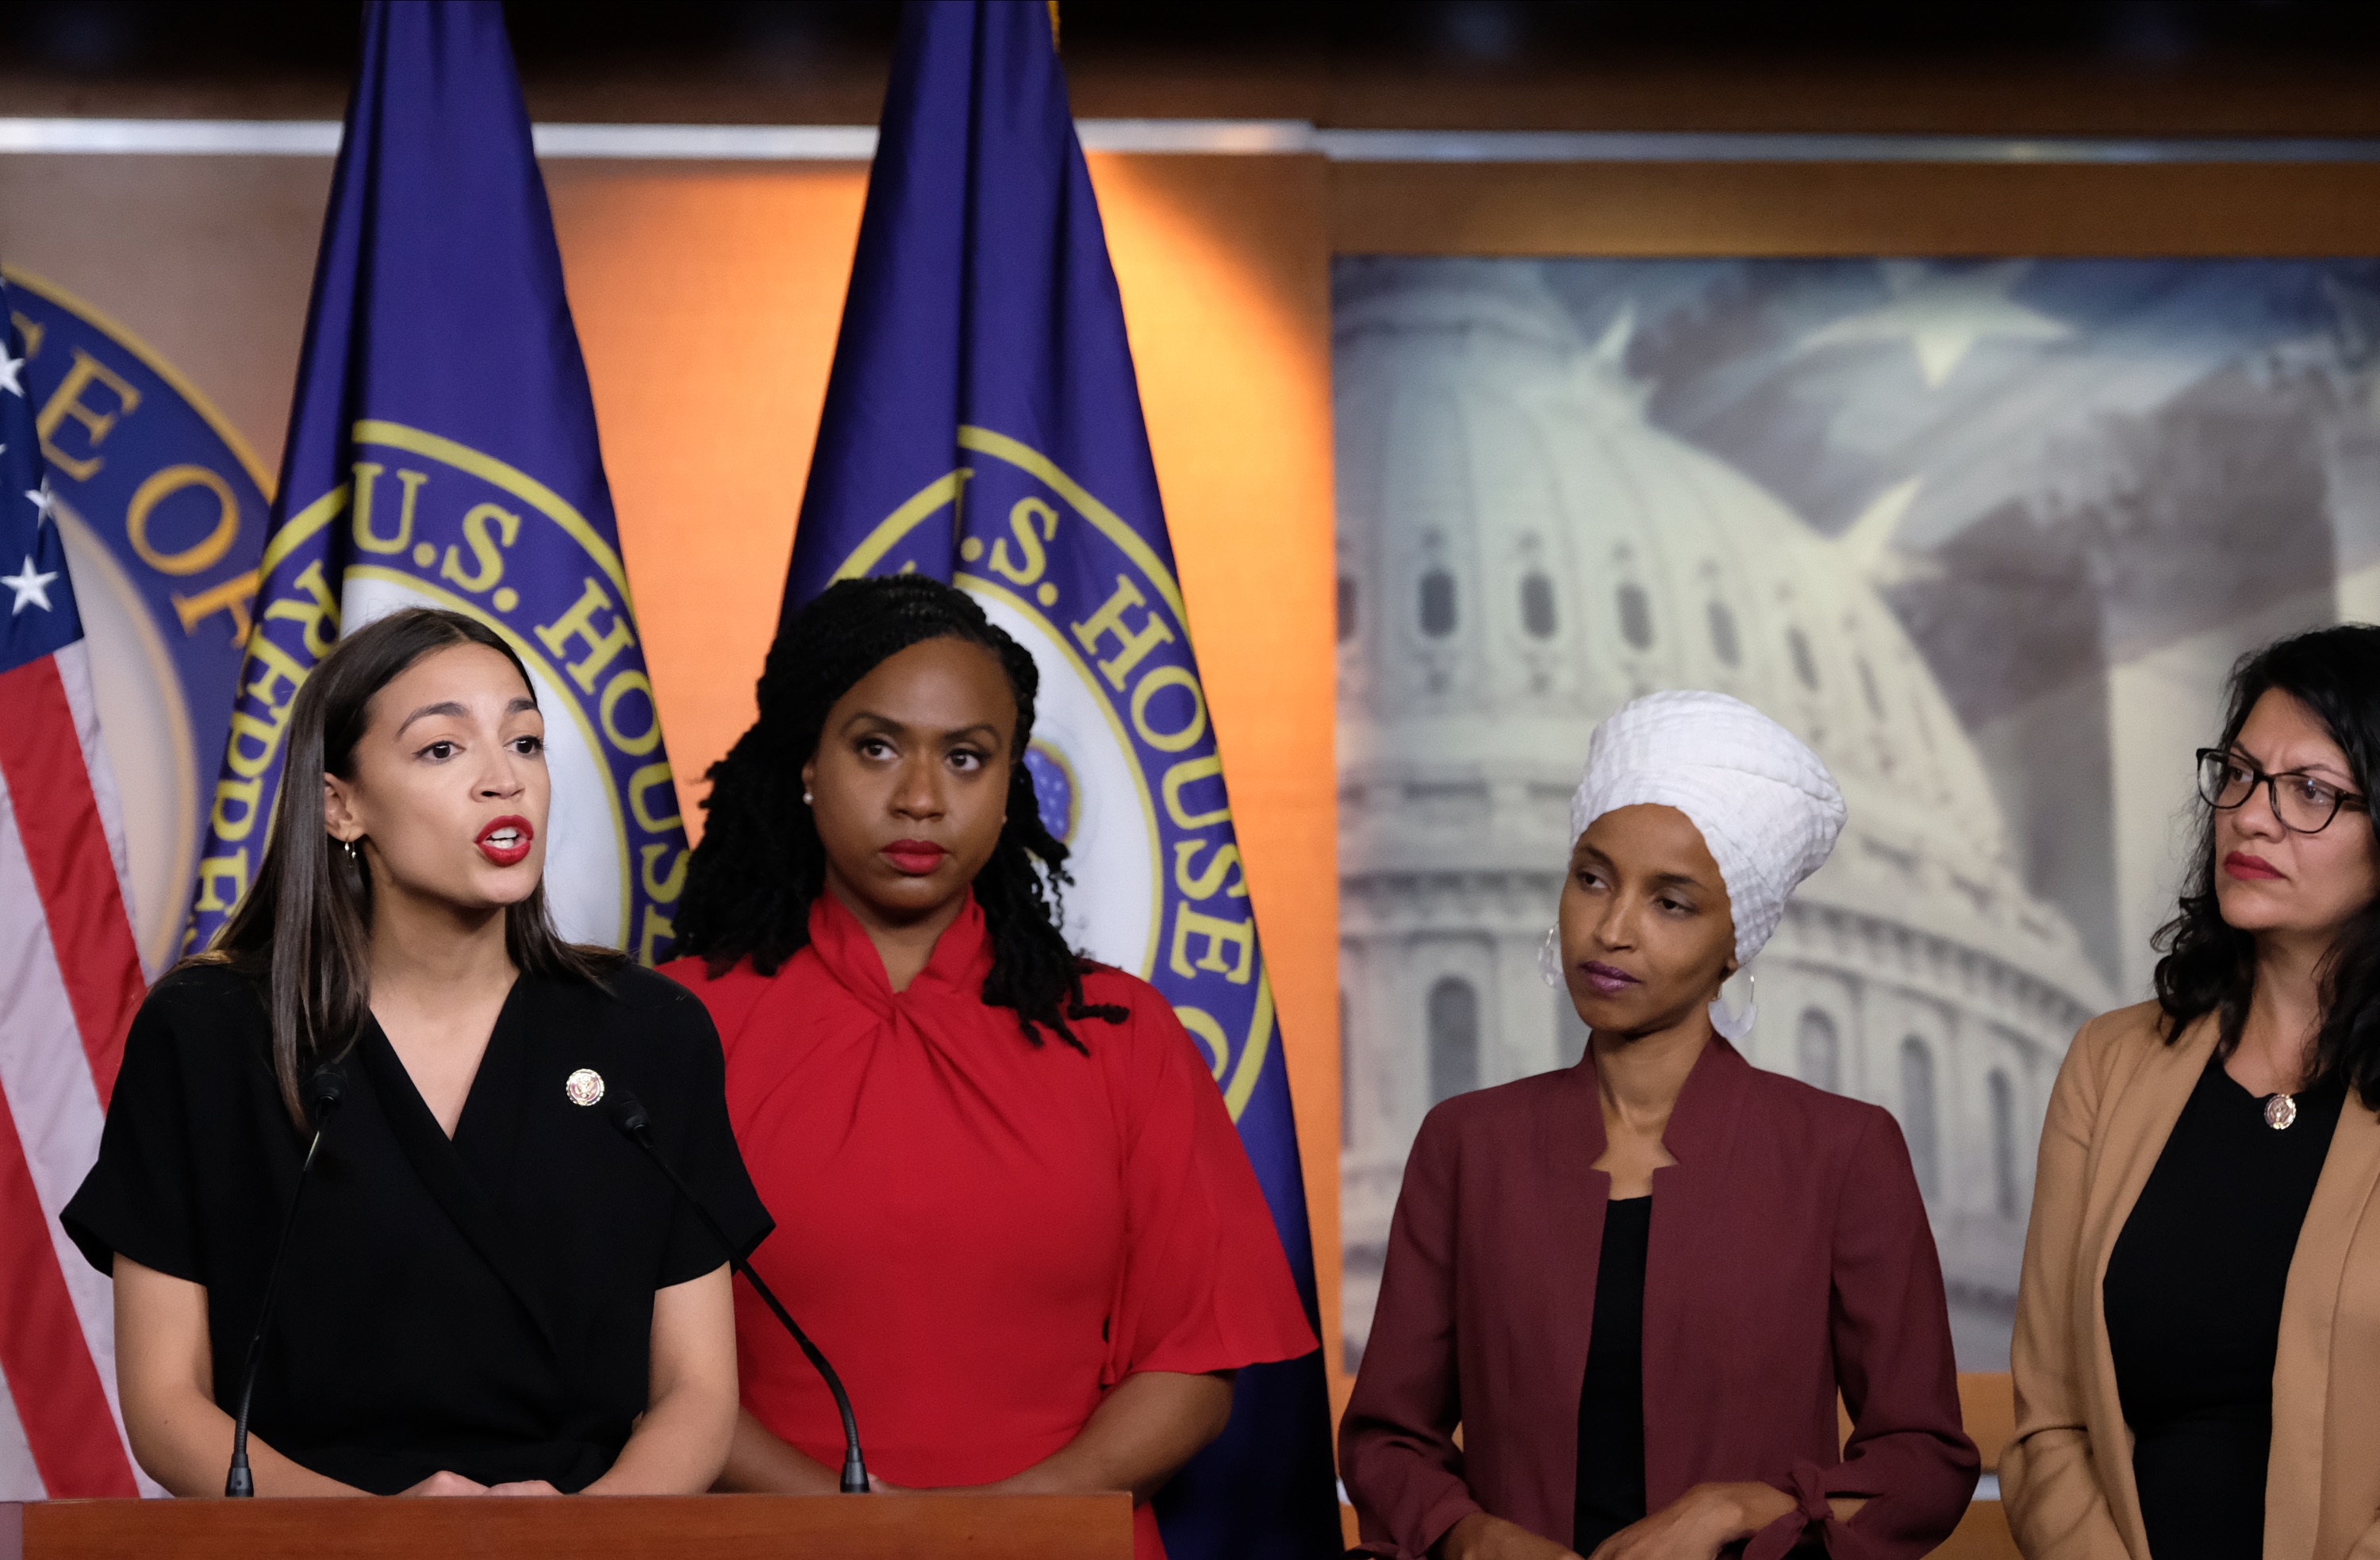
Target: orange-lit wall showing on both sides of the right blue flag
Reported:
[(708, 306)]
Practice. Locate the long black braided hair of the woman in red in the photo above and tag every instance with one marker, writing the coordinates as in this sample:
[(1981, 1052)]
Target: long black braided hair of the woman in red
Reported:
[(760, 863)]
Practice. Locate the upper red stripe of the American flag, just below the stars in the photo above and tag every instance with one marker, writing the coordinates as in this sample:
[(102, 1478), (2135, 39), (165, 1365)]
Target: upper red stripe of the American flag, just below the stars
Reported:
[(77, 875)]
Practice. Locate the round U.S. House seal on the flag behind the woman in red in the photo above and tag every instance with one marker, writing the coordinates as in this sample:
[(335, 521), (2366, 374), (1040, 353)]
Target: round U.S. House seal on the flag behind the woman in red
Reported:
[(1125, 759)]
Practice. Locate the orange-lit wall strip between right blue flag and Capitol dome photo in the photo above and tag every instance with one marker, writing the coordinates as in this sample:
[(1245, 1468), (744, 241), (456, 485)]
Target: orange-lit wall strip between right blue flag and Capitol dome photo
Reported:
[(1227, 294)]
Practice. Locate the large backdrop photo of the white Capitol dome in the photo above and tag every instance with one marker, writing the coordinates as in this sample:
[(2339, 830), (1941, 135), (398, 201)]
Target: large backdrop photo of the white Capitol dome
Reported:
[(1986, 535)]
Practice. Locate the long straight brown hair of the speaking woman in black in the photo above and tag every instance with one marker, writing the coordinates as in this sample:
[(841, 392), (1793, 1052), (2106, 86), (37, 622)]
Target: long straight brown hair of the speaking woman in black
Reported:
[(306, 928)]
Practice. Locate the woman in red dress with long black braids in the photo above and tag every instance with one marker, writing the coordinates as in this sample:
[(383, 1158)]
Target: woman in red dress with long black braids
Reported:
[(1010, 1204)]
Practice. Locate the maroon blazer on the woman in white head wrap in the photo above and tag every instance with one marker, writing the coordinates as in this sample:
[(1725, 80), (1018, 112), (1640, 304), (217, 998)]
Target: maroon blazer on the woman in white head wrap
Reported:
[(1789, 1259)]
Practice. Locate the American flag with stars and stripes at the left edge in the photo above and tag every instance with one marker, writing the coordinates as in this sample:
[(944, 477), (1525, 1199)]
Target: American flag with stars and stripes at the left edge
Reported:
[(70, 982)]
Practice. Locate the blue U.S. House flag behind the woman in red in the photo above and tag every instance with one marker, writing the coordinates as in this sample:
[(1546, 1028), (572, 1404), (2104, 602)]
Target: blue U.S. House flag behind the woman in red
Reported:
[(984, 428)]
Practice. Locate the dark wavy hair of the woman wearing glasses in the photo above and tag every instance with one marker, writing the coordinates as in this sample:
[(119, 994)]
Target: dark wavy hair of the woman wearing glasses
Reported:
[(2210, 966)]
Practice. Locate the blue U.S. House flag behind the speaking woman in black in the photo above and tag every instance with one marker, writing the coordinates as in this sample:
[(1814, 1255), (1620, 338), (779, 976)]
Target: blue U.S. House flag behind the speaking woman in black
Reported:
[(444, 454)]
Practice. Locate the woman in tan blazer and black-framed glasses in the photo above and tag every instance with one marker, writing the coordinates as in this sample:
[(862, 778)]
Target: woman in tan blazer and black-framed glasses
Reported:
[(2198, 1333)]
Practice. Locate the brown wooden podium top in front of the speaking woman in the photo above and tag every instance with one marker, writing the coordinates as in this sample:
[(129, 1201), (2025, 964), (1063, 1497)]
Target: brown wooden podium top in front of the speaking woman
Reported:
[(632, 1528)]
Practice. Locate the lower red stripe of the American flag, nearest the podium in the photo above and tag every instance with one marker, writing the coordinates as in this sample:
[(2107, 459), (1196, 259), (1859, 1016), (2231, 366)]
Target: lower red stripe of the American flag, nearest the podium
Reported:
[(61, 1399)]
